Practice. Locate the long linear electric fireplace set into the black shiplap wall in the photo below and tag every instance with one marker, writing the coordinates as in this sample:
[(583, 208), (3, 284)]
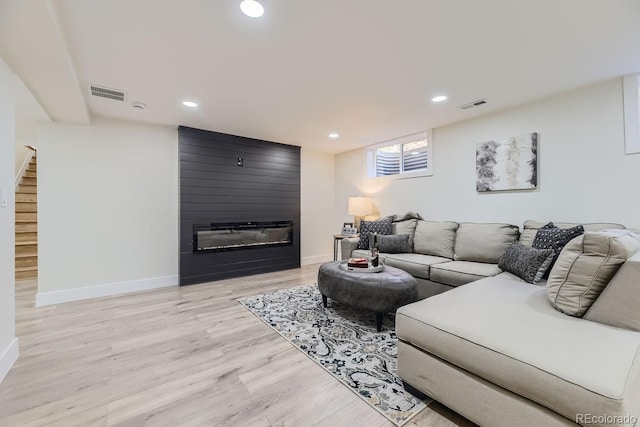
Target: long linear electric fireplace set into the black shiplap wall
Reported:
[(241, 235)]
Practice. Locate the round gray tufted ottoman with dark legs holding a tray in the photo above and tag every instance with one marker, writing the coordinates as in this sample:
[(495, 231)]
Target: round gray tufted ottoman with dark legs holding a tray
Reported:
[(381, 292)]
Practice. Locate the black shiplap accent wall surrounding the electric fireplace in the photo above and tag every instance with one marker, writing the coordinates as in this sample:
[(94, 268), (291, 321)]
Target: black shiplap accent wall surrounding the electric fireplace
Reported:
[(213, 188)]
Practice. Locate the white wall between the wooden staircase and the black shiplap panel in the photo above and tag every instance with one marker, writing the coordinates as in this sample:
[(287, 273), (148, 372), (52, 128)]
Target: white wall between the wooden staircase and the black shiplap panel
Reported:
[(107, 209)]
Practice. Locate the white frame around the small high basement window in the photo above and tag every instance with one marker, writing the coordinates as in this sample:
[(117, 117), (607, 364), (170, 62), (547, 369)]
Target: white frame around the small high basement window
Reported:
[(370, 158)]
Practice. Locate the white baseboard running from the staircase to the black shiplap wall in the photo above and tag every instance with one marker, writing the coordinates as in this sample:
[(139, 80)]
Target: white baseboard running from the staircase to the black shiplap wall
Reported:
[(107, 289)]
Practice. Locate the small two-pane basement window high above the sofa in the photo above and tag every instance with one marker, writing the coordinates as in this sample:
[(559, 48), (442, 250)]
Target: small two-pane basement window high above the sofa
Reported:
[(407, 157)]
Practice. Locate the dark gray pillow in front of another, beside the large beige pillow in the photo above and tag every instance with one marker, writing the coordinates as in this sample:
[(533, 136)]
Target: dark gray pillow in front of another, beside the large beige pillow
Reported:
[(527, 263)]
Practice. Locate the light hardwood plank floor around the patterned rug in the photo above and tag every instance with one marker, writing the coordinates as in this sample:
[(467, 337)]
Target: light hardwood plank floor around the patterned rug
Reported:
[(181, 356)]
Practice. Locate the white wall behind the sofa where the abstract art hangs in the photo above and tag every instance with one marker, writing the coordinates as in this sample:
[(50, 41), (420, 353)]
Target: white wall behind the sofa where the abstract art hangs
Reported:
[(583, 176)]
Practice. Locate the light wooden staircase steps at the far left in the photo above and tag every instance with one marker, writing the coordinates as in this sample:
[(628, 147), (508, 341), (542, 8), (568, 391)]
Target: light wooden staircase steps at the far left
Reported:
[(27, 224)]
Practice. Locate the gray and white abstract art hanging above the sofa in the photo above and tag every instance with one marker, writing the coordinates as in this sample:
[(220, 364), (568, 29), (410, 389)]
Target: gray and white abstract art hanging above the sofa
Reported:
[(510, 164)]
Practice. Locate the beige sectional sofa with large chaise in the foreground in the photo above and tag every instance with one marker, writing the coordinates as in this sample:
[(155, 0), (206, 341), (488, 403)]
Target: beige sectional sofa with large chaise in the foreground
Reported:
[(502, 352)]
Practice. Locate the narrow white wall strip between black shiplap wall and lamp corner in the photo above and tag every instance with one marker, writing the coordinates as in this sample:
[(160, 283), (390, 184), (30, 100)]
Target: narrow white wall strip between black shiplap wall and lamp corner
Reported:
[(317, 198)]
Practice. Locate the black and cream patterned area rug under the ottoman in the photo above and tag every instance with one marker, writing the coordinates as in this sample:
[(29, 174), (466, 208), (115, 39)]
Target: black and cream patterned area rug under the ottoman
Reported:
[(343, 341)]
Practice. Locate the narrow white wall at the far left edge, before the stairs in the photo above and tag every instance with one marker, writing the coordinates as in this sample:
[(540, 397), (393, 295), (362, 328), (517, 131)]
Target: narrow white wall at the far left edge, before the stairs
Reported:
[(8, 341)]
